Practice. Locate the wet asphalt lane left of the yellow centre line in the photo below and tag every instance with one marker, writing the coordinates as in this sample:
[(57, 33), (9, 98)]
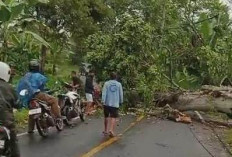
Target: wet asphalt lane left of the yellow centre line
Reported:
[(71, 142)]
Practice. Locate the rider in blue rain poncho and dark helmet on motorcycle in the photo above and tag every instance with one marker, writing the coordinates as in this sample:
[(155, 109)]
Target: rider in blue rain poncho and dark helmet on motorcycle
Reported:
[(34, 82)]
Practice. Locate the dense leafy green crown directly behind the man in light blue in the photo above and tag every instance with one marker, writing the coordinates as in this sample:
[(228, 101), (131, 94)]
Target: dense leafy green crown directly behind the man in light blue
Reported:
[(130, 51)]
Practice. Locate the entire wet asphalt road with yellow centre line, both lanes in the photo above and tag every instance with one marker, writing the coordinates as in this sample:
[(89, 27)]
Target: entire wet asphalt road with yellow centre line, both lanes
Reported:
[(147, 138)]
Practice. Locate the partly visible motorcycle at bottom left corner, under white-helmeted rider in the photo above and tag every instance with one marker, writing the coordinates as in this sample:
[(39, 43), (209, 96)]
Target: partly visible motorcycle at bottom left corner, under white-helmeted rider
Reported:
[(5, 150)]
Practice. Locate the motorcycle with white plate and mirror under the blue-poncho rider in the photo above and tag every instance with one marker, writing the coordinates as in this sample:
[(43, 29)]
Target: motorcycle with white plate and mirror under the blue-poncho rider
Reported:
[(40, 113)]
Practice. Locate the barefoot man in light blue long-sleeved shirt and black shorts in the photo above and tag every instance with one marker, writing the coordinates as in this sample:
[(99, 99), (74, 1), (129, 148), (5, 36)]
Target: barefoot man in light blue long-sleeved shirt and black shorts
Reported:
[(112, 98)]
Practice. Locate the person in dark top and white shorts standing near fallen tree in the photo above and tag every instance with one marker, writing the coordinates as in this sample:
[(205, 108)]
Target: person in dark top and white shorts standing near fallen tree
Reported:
[(89, 89)]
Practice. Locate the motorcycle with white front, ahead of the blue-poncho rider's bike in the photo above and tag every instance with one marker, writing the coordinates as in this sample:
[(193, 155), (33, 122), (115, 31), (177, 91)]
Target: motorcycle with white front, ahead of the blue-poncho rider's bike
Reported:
[(71, 106)]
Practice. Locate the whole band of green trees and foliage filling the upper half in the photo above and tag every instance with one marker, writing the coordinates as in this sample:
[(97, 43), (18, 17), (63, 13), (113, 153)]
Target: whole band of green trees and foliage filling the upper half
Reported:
[(153, 44)]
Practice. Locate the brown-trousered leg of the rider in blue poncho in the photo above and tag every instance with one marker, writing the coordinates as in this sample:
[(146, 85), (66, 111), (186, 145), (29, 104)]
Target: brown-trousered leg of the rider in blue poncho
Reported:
[(52, 101)]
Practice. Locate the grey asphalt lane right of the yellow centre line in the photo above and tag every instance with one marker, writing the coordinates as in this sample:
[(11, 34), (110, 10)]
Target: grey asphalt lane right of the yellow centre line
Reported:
[(162, 139)]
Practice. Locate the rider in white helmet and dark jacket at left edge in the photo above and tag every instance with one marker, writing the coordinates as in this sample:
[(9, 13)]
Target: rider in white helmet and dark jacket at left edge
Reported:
[(8, 101)]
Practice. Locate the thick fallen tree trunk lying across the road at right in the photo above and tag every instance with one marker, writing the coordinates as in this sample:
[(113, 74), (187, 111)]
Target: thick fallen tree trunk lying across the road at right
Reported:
[(209, 98)]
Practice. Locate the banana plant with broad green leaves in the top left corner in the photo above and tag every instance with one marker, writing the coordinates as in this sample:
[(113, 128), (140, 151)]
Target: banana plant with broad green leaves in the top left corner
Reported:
[(12, 19)]
